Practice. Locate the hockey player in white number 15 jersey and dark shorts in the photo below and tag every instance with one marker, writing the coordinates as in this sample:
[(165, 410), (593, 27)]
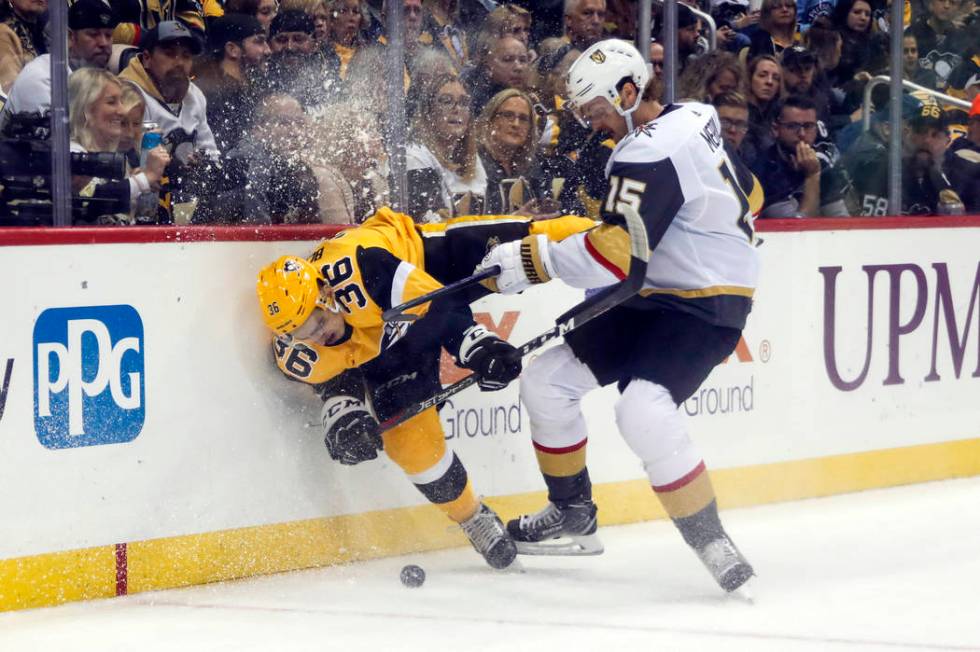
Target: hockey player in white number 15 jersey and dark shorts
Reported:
[(697, 204)]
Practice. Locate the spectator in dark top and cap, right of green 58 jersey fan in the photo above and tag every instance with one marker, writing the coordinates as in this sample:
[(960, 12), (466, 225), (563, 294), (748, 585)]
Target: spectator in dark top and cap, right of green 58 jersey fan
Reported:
[(925, 189)]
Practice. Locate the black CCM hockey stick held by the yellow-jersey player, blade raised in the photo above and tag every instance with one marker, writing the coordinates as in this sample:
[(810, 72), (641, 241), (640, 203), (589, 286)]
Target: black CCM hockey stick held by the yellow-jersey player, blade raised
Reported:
[(580, 314)]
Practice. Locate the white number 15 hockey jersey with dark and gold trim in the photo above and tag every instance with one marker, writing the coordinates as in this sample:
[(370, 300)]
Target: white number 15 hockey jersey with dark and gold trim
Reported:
[(698, 204)]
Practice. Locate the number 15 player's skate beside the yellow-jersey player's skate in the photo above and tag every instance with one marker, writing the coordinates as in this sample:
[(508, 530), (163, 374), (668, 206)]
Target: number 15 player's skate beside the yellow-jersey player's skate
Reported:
[(574, 525)]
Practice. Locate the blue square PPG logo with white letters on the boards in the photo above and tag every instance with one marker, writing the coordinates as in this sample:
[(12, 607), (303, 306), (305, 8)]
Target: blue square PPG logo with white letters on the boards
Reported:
[(88, 376)]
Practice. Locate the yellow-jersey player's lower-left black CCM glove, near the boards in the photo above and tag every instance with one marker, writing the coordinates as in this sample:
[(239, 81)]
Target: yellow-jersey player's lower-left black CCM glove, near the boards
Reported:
[(350, 432)]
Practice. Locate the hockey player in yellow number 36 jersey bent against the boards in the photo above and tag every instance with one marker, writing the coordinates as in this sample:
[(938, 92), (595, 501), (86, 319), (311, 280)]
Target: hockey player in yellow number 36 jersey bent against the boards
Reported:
[(326, 312)]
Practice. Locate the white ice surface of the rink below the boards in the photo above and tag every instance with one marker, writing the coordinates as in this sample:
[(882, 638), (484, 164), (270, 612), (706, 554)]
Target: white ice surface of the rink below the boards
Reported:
[(895, 569)]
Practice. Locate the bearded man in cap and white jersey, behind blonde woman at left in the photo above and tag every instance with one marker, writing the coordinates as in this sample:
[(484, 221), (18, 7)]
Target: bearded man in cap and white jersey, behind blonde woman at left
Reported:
[(162, 74)]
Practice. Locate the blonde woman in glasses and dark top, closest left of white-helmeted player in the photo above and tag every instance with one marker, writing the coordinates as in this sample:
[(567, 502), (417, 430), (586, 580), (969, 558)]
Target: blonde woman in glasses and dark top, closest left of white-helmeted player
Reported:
[(507, 136)]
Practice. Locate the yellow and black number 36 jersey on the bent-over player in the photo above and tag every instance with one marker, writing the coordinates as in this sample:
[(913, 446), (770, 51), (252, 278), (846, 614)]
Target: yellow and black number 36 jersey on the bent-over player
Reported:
[(387, 261)]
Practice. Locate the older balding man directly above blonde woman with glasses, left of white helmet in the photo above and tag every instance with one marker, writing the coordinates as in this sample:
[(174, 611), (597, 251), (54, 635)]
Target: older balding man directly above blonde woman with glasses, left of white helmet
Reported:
[(500, 62)]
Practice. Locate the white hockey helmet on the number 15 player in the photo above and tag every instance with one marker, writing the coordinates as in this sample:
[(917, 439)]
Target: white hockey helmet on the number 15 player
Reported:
[(598, 71)]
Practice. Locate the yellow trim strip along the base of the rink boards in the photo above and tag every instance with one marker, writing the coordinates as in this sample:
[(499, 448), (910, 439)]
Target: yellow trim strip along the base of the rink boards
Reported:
[(54, 578)]
